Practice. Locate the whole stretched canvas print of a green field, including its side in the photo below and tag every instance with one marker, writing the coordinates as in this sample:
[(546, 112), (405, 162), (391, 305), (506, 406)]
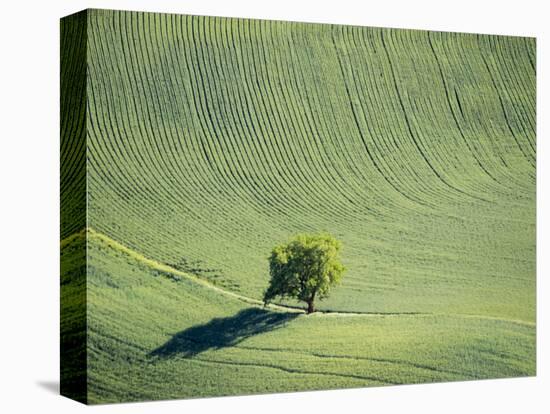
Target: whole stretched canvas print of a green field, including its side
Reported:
[(254, 206)]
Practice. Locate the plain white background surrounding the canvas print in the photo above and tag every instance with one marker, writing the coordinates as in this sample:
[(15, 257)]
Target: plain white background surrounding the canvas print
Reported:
[(29, 205)]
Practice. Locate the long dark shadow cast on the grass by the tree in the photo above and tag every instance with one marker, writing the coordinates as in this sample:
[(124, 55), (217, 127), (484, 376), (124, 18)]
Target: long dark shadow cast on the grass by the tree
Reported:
[(222, 332)]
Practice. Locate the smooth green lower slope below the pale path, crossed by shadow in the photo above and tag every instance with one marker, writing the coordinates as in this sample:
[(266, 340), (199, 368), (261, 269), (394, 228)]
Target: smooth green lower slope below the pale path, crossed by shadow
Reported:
[(156, 335)]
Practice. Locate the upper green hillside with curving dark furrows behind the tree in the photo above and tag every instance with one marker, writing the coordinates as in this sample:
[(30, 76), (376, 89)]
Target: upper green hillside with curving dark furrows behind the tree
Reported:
[(211, 140)]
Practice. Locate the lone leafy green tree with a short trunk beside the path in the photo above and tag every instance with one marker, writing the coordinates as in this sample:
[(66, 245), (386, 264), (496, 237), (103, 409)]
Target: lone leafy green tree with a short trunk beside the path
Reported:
[(305, 268)]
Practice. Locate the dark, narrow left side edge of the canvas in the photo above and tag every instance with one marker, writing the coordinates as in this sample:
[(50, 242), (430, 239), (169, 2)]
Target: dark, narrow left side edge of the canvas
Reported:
[(73, 259)]
